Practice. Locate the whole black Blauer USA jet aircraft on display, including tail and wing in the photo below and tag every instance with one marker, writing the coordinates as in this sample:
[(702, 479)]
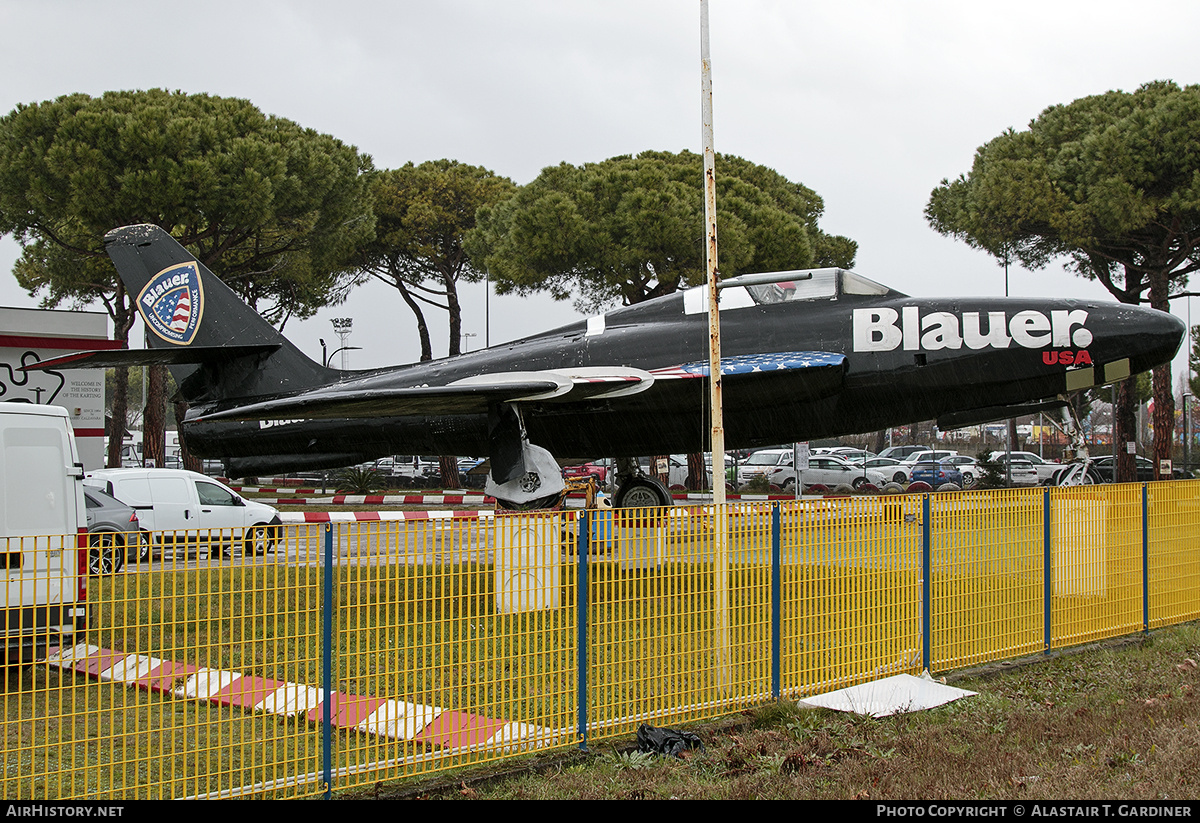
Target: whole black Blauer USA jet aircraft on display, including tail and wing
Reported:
[(806, 355)]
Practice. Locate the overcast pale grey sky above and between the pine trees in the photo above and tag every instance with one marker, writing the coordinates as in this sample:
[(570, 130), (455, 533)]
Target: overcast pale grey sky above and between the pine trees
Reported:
[(871, 104)]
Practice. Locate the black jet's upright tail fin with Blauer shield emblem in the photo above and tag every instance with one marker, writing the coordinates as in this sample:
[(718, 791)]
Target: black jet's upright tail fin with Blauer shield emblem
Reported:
[(185, 305)]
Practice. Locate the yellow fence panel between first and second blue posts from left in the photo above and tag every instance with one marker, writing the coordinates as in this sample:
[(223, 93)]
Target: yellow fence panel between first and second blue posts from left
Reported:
[(455, 644)]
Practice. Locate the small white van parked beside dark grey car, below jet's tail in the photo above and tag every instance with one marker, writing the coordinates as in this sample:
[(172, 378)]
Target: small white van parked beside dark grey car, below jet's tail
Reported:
[(179, 507)]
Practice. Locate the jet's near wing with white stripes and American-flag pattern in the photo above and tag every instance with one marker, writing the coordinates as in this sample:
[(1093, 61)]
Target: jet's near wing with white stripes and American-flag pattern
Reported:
[(820, 373)]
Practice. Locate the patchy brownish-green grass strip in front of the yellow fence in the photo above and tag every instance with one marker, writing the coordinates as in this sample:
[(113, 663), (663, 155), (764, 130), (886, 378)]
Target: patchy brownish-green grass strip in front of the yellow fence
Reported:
[(1118, 723)]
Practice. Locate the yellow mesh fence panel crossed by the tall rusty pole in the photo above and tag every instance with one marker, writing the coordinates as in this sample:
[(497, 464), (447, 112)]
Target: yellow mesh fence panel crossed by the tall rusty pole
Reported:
[(675, 632)]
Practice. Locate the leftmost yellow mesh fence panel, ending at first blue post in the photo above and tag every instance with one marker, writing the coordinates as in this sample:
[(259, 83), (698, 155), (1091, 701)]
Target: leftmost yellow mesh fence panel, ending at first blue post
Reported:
[(181, 688)]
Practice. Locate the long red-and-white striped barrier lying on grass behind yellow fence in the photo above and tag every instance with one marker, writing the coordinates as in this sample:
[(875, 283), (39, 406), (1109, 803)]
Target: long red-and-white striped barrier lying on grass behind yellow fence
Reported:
[(430, 725)]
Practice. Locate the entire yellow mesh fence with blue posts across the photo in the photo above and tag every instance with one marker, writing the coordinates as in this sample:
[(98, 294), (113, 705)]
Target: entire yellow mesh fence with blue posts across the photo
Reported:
[(356, 653)]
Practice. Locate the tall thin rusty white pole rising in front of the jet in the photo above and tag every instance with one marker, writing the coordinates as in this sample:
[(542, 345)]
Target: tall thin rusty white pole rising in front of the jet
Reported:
[(721, 537)]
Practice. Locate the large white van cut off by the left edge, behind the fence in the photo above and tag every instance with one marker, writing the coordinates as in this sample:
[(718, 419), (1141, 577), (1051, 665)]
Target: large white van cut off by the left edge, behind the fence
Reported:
[(44, 528)]
